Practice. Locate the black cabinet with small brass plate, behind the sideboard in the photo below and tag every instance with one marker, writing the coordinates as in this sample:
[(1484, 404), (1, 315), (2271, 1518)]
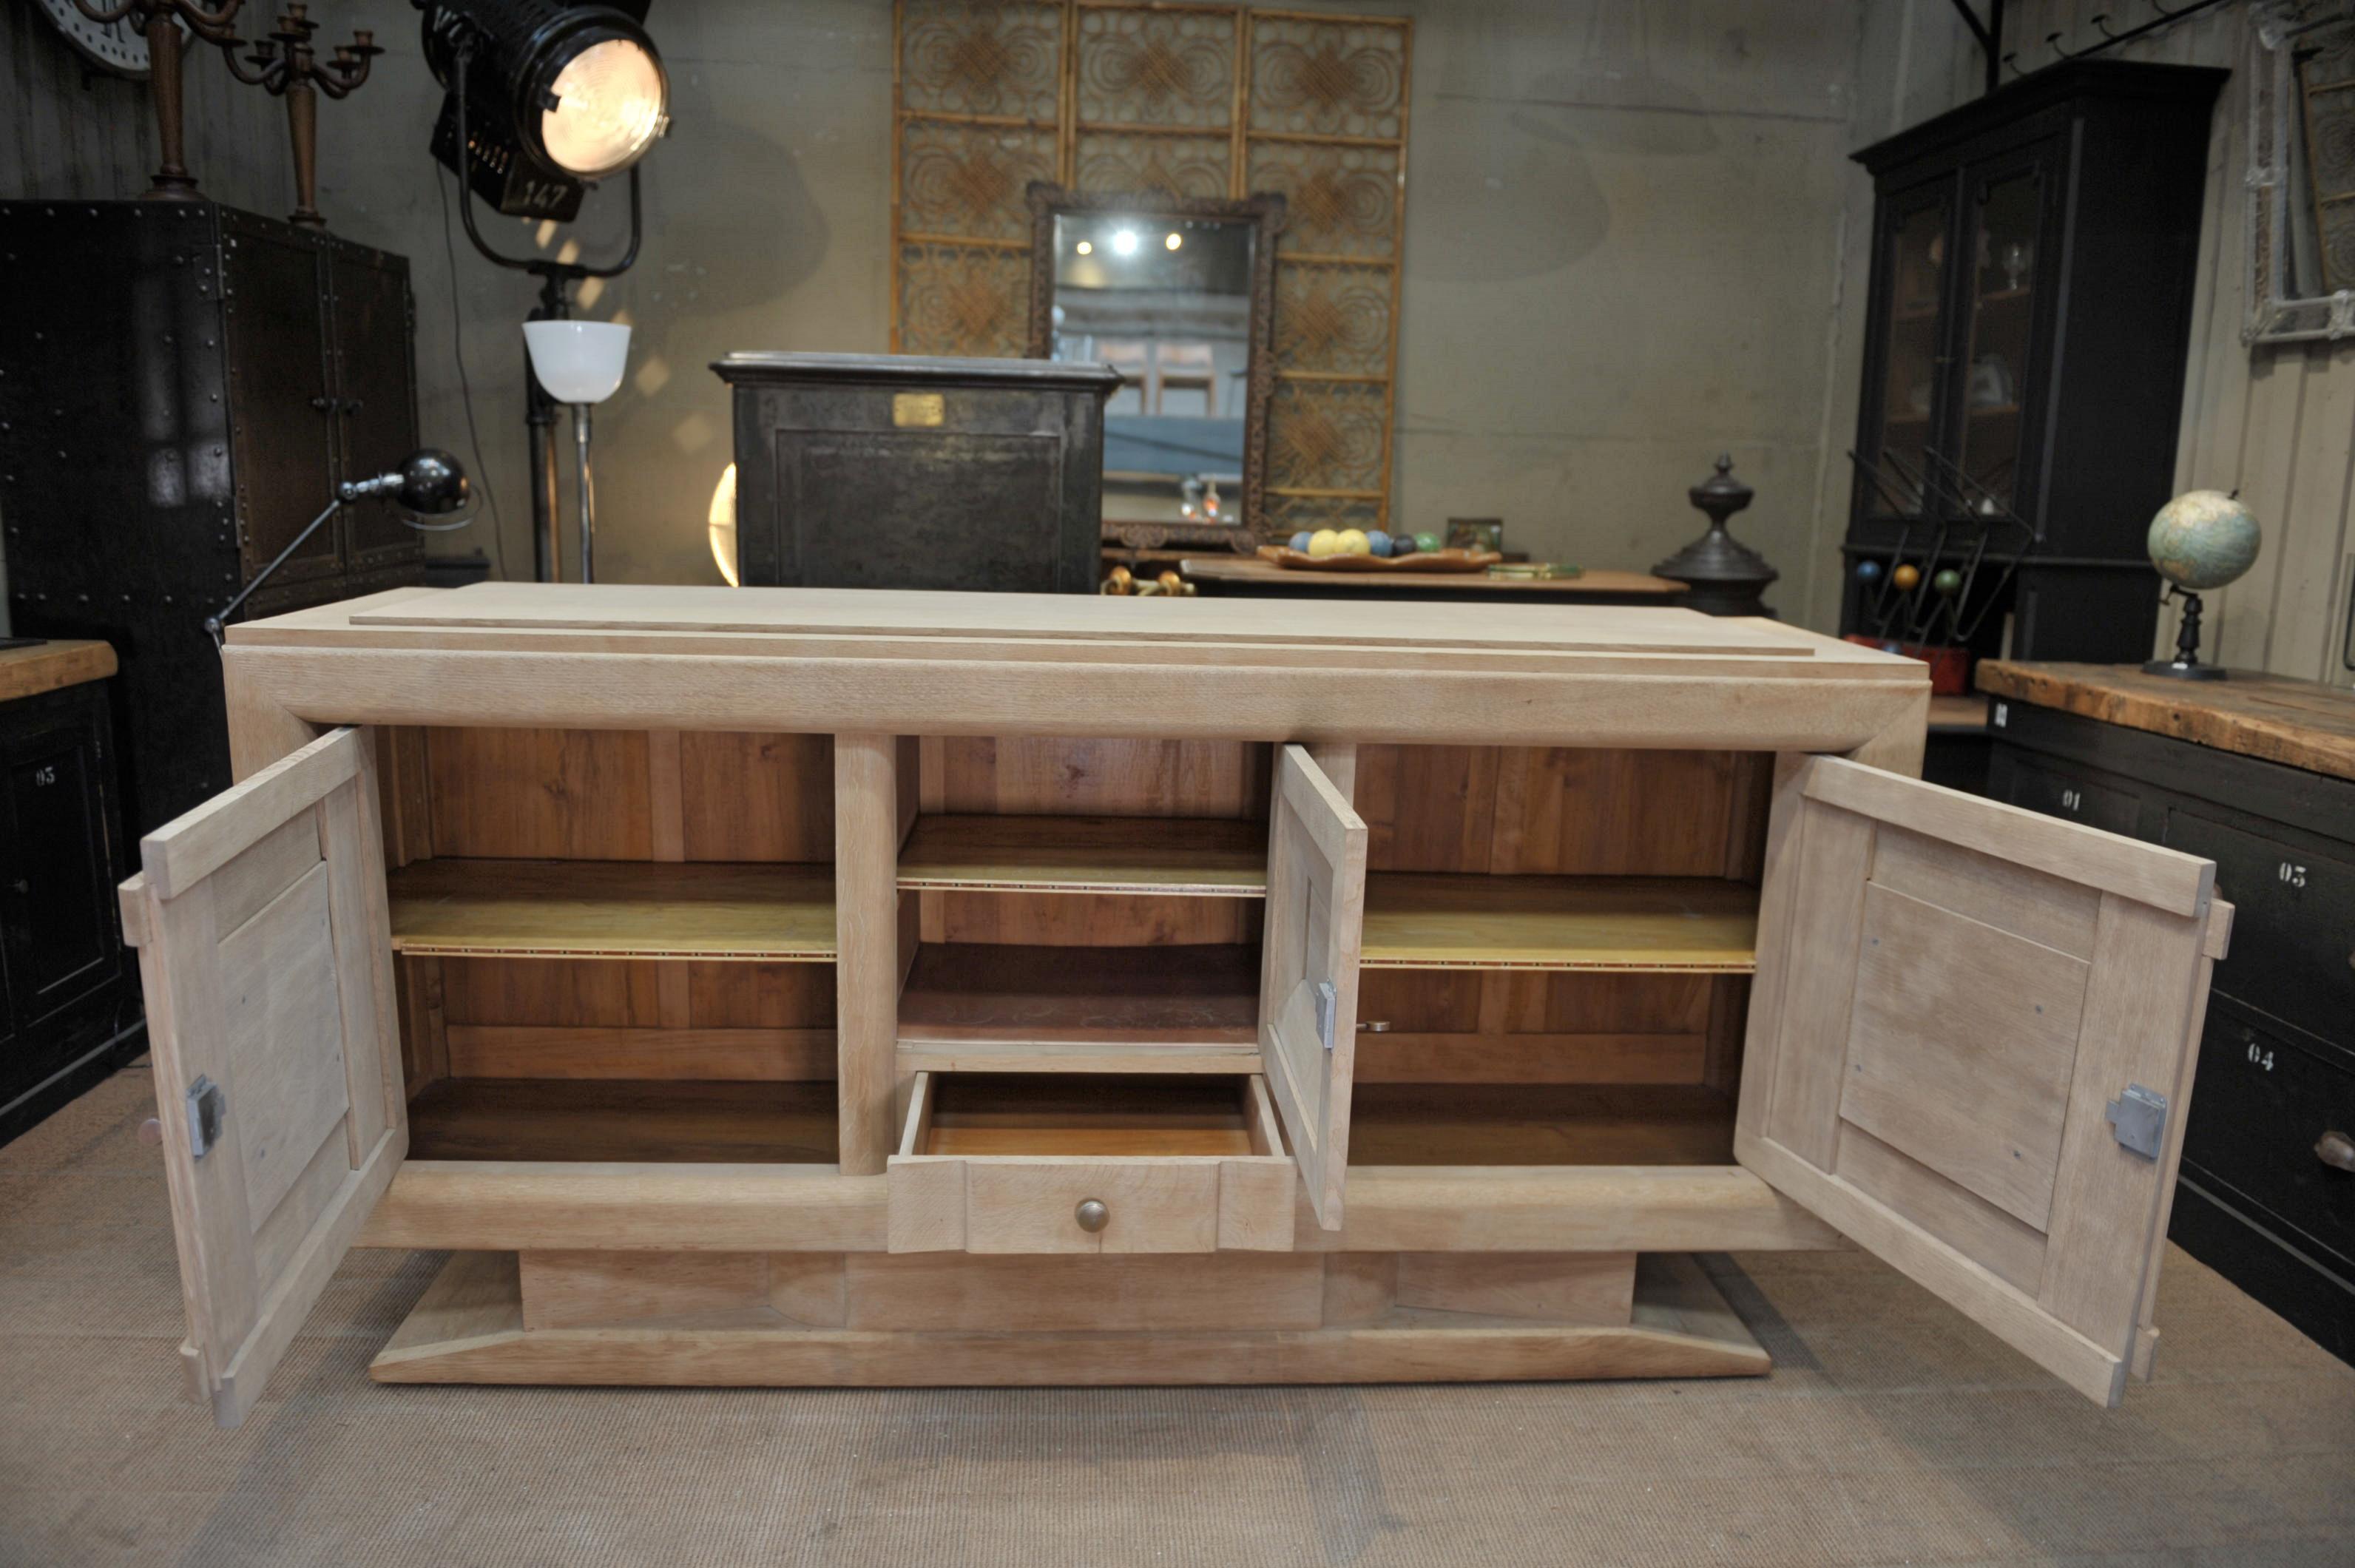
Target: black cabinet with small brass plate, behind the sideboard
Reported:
[(901, 472)]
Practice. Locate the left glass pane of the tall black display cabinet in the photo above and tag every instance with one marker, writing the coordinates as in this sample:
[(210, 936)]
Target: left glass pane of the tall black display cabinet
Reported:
[(1913, 347)]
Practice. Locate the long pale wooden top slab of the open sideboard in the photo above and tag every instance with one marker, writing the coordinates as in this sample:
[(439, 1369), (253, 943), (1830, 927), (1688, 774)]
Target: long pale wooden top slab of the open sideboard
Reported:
[(618, 656)]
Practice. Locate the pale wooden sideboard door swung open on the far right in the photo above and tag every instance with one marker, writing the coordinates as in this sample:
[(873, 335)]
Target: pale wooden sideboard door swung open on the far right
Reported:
[(1972, 1051)]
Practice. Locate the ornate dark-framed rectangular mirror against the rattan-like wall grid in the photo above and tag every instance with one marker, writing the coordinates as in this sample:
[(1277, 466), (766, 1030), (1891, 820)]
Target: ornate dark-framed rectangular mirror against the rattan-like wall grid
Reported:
[(1179, 295)]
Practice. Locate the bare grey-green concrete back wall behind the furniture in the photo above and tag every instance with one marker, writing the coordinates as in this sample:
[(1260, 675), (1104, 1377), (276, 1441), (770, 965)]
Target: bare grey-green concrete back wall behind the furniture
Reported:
[(1631, 241)]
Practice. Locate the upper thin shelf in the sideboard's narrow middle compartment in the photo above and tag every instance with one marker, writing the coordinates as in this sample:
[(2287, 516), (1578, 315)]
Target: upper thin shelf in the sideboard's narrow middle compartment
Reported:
[(1160, 856)]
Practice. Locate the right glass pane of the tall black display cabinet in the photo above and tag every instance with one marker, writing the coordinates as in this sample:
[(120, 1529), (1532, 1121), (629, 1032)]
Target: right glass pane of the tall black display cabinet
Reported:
[(2008, 230)]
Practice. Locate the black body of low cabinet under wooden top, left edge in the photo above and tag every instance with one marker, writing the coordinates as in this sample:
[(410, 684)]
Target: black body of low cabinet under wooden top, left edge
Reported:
[(62, 978)]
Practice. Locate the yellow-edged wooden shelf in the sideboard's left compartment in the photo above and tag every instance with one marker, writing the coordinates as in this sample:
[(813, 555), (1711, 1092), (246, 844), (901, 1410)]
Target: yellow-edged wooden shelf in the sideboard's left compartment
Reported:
[(613, 910)]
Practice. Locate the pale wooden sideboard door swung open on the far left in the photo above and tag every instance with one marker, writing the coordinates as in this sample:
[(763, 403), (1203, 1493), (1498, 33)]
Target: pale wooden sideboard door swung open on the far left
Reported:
[(270, 985)]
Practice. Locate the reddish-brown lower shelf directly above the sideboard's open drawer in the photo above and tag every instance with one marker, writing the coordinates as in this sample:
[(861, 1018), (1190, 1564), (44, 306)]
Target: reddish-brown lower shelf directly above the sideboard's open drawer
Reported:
[(1082, 1009)]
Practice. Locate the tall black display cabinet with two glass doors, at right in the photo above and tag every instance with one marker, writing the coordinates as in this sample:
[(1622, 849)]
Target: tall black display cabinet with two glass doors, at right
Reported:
[(2029, 321)]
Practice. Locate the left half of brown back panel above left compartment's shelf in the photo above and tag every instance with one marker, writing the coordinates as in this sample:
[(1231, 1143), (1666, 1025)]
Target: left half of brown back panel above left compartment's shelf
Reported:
[(540, 795)]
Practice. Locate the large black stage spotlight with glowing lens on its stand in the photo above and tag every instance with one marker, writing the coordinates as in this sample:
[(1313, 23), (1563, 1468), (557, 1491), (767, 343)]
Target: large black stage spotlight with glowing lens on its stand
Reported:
[(543, 100)]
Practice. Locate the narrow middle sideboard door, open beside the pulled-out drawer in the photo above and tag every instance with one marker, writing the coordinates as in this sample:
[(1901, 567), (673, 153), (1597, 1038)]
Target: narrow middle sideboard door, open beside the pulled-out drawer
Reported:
[(1308, 971)]
